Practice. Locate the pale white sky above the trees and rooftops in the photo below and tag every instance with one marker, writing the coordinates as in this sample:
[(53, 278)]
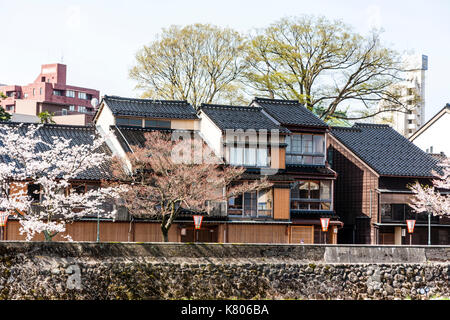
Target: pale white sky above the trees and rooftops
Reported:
[(98, 40)]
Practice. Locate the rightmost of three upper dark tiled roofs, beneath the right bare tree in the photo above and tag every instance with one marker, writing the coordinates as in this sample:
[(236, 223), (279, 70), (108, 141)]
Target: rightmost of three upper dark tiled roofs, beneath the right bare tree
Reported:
[(289, 112)]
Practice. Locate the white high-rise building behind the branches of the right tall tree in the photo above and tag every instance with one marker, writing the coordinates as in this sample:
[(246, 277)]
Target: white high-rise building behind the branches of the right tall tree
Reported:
[(407, 121)]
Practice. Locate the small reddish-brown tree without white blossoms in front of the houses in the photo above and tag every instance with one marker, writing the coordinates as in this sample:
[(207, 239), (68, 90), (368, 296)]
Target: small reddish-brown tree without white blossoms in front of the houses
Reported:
[(167, 176)]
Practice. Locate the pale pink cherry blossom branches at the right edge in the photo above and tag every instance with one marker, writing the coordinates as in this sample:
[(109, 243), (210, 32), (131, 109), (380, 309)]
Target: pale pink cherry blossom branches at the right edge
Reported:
[(428, 198)]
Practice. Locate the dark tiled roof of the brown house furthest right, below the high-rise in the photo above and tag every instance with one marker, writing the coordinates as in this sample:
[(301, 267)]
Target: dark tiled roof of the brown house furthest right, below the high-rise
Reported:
[(385, 150)]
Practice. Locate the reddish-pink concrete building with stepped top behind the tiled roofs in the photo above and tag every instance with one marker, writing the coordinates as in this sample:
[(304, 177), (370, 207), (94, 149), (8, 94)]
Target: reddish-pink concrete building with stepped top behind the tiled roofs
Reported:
[(50, 92)]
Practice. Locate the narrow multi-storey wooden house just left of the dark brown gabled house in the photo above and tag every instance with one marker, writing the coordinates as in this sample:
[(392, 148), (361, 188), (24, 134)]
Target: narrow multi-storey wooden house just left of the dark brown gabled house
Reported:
[(309, 180)]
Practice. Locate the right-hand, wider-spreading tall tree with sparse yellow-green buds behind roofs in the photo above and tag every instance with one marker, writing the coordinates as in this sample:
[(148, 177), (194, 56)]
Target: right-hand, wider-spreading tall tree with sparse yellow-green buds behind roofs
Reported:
[(325, 65)]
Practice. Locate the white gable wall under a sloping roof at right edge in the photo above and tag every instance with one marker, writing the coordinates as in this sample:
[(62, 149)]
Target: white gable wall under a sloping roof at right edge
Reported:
[(437, 136)]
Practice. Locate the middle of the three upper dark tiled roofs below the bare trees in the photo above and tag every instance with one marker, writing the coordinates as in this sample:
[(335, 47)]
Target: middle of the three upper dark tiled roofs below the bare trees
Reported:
[(237, 117)]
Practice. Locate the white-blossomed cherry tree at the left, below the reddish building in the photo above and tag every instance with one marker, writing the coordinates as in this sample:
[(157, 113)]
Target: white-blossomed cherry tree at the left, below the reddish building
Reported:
[(26, 158)]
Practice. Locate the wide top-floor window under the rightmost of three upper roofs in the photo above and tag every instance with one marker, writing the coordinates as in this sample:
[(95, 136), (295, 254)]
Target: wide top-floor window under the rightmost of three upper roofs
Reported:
[(305, 149)]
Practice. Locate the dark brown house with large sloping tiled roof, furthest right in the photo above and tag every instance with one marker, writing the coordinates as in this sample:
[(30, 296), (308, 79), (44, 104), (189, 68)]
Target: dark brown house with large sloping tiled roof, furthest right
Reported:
[(375, 165)]
